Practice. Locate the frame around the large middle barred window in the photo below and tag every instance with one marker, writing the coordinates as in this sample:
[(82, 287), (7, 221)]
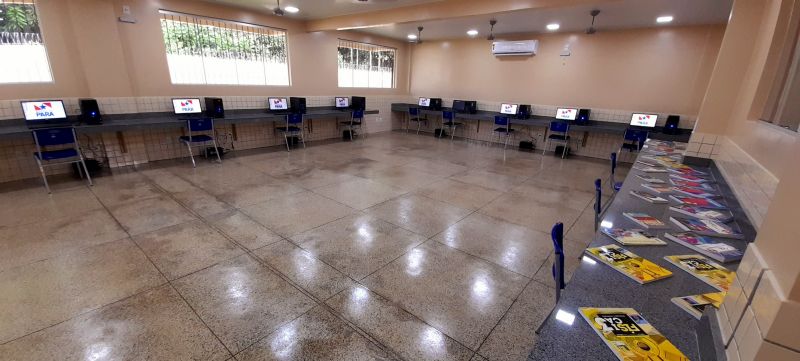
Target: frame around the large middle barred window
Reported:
[(234, 23)]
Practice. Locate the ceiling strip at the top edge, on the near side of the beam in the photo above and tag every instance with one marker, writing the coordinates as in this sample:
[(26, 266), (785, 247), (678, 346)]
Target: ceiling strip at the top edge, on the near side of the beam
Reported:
[(318, 9)]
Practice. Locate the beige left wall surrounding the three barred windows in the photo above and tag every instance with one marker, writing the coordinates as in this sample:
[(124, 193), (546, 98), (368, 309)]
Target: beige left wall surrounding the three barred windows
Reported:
[(92, 54)]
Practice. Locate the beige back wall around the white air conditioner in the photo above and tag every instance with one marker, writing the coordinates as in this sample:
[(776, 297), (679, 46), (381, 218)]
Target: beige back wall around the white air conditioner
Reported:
[(659, 69)]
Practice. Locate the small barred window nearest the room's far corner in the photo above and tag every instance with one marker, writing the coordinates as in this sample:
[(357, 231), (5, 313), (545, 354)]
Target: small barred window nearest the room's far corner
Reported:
[(363, 65)]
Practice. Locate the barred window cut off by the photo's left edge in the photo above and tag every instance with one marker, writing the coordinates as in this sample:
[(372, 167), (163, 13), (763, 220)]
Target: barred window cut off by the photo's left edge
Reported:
[(23, 57)]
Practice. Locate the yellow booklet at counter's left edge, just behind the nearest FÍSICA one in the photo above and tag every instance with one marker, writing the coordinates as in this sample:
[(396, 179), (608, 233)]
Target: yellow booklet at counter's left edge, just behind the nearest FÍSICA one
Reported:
[(631, 265)]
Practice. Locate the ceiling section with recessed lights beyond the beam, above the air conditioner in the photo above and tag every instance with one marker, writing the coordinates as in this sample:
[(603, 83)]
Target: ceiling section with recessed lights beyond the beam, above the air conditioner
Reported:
[(615, 15)]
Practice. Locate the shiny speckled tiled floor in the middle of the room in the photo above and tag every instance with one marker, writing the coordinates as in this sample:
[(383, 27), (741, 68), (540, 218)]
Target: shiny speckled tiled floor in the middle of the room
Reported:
[(394, 246)]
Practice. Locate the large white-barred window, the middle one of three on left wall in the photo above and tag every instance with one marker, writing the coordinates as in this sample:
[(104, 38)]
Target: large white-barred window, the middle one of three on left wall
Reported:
[(202, 50)]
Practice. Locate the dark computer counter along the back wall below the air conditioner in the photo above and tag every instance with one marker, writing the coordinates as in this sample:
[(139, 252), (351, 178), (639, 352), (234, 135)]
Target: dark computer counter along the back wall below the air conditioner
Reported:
[(592, 126)]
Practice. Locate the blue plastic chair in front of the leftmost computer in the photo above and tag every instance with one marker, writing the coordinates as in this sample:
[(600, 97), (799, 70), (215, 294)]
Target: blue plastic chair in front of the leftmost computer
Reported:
[(68, 151)]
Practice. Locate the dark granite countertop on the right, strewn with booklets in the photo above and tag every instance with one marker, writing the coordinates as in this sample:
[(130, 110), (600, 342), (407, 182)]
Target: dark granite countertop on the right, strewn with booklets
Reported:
[(595, 284)]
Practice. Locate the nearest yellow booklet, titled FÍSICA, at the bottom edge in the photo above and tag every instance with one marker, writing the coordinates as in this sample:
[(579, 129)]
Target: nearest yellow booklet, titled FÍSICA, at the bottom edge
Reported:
[(630, 336)]
